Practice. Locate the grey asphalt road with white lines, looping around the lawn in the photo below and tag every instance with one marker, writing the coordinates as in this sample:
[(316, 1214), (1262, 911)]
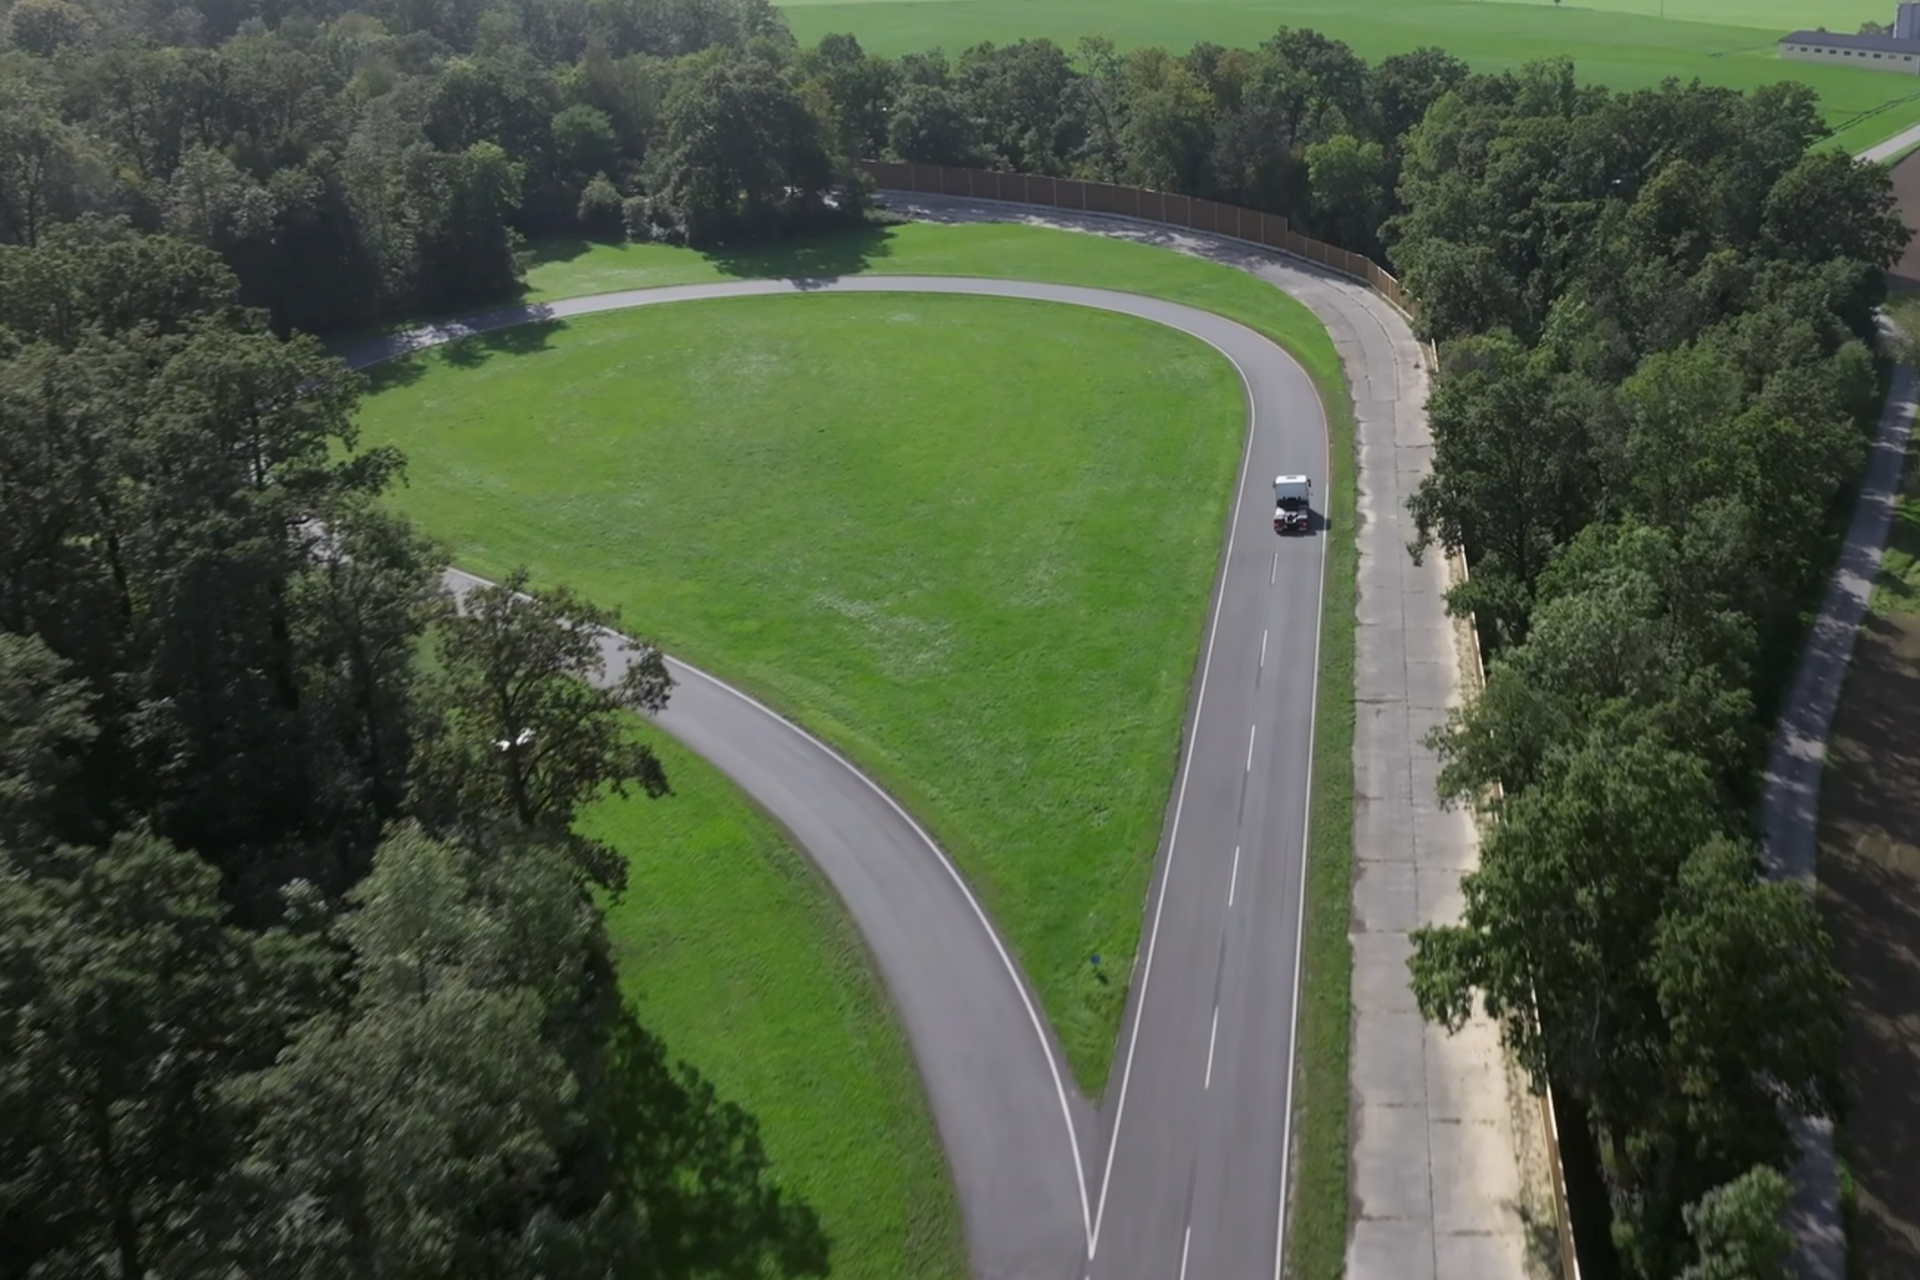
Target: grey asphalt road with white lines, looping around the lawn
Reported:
[(1182, 1173)]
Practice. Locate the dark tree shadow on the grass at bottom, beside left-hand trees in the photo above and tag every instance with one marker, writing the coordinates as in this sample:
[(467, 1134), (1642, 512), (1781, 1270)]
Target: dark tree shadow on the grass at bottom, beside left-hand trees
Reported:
[(700, 1175)]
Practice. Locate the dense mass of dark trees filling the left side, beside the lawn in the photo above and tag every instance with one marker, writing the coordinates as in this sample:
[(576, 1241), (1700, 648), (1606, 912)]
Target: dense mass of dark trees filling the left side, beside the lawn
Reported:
[(300, 972)]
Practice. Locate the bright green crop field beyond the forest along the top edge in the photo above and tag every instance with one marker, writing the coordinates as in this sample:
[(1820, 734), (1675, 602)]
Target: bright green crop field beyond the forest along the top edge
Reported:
[(1618, 43)]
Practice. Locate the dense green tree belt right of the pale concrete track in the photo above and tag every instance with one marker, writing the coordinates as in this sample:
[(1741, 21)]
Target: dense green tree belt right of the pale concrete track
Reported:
[(1660, 371)]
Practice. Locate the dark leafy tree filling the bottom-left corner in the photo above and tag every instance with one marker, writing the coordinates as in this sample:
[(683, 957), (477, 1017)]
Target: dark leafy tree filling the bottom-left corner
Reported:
[(130, 1001)]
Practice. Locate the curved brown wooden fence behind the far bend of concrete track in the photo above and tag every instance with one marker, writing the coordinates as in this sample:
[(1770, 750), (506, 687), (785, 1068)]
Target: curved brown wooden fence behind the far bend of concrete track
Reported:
[(1138, 202)]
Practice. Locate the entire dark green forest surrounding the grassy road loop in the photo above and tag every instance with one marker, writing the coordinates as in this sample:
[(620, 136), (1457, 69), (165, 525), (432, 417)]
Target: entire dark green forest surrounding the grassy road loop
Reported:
[(300, 960)]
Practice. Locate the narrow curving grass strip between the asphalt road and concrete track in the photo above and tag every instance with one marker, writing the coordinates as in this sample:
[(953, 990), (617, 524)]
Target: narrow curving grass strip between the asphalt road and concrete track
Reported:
[(1320, 1197)]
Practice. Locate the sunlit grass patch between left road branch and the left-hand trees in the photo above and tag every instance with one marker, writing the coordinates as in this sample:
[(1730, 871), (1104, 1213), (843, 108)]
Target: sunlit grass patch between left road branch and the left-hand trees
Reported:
[(742, 962)]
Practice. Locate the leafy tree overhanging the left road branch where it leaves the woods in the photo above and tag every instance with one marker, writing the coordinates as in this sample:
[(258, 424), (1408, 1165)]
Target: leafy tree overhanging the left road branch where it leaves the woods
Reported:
[(533, 709)]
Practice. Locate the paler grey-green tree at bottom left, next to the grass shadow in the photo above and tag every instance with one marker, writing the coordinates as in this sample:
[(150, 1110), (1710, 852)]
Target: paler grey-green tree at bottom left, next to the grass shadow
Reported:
[(427, 1127)]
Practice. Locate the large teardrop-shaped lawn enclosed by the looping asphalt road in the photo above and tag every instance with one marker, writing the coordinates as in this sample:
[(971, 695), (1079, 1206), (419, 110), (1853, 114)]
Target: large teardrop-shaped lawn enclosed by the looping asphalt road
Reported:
[(967, 540)]
